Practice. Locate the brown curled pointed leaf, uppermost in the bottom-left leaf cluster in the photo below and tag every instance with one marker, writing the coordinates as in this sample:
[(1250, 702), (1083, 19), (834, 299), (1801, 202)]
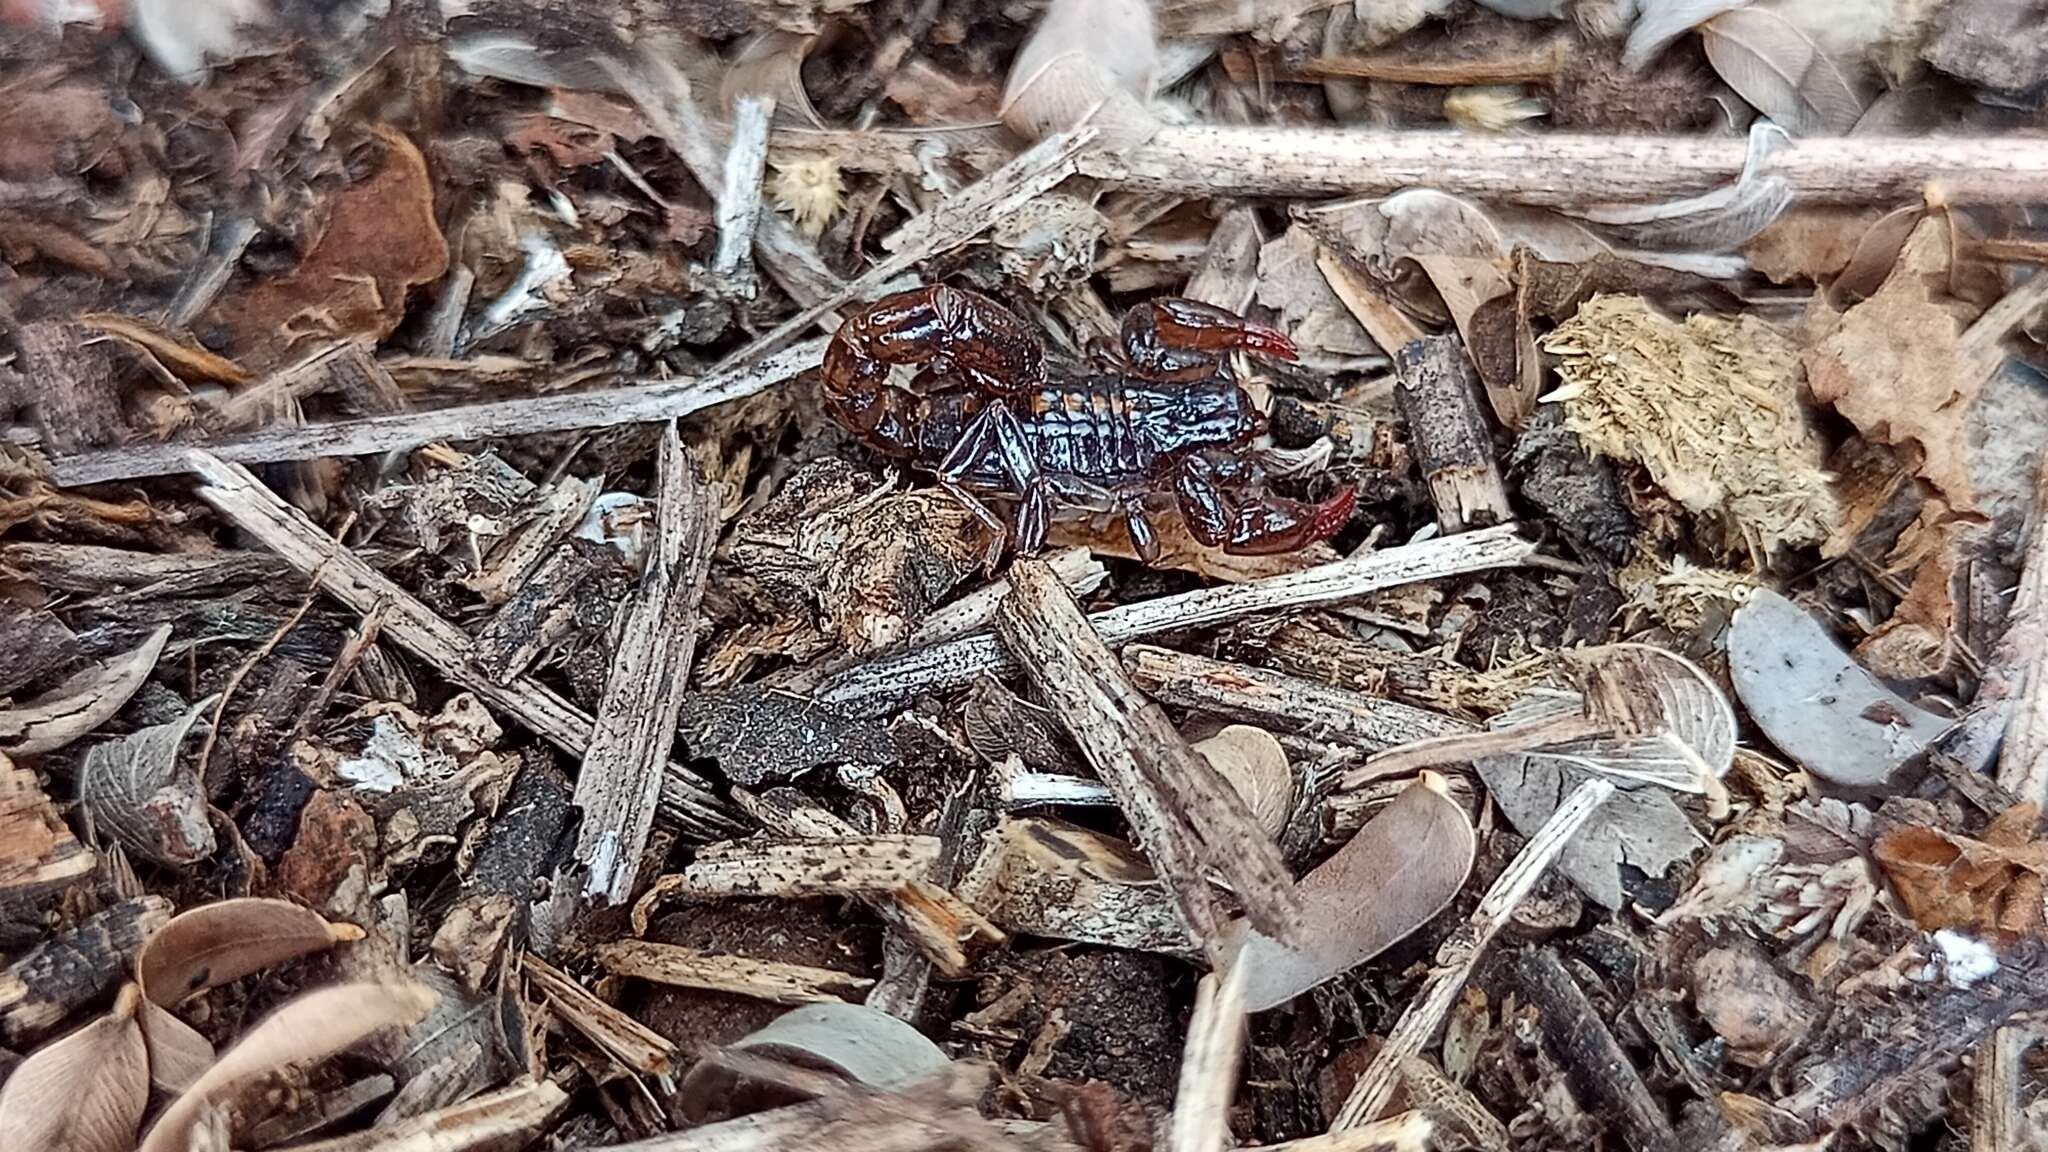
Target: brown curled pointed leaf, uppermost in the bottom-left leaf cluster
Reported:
[(228, 940)]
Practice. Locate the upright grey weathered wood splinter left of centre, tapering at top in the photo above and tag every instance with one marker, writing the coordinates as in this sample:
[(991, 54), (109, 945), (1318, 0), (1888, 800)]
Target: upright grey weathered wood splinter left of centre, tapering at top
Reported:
[(622, 778)]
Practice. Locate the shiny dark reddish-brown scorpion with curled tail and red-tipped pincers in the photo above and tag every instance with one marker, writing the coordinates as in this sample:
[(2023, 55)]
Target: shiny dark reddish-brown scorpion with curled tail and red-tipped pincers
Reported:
[(1158, 425)]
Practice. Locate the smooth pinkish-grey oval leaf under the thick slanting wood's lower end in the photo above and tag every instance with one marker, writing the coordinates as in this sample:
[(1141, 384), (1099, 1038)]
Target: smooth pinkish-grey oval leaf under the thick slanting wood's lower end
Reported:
[(1383, 884)]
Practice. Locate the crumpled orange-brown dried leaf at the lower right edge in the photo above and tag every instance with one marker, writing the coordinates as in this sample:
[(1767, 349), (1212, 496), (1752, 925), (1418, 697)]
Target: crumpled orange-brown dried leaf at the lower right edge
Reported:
[(1957, 882)]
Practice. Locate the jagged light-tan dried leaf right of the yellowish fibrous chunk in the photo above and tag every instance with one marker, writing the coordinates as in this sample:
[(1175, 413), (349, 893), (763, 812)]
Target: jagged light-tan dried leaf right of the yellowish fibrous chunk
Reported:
[(1893, 366)]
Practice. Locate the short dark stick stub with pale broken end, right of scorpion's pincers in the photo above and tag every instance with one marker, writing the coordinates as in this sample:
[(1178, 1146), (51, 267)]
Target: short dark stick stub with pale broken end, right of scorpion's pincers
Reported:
[(1439, 397)]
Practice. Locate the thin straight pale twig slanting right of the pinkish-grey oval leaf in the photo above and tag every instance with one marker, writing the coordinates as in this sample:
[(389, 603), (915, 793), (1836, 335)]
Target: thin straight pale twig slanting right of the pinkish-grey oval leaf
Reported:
[(1459, 956)]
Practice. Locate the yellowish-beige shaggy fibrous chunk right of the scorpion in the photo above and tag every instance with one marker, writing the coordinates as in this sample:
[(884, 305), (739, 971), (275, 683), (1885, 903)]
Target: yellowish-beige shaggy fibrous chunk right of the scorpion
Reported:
[(1709, 407)]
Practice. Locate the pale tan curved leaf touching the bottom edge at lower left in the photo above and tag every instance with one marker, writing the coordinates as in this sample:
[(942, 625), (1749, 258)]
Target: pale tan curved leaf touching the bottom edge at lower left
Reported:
[(306, 1030)]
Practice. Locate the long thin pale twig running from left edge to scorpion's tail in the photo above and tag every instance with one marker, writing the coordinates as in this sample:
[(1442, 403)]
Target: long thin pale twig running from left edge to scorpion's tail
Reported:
[(634, 405)]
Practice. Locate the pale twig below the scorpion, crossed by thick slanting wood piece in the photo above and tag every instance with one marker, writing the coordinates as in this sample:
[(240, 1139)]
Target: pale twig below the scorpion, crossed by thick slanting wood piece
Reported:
[(886, 684)]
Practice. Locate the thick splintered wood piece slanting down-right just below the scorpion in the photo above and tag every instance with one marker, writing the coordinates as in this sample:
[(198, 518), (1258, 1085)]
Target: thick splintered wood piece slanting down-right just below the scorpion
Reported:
[(1189, 821)]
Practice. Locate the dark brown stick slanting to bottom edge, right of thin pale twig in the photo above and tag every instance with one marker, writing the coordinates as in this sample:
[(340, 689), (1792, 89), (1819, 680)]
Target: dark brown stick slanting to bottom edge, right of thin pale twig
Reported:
[(1594, 1061)]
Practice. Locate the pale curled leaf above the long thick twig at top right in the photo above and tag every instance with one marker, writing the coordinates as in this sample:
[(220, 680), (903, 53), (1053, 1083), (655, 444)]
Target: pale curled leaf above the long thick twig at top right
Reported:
[(1783, 73)]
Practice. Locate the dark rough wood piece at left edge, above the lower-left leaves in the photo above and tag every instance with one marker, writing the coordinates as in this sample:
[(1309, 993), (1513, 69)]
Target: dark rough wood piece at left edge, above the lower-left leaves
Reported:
[(75, 969)]
